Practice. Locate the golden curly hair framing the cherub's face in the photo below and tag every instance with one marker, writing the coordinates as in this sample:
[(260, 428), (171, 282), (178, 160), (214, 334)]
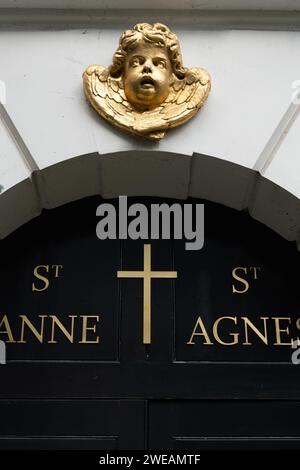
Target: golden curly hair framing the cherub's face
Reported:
[(159, 35)]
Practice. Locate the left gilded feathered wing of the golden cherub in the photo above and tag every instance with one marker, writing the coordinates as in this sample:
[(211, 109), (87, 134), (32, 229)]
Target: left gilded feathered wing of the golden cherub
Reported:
[(106, 95)]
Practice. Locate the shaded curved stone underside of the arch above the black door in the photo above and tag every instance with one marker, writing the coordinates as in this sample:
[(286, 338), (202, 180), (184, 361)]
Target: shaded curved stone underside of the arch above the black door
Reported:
[(151, 173)]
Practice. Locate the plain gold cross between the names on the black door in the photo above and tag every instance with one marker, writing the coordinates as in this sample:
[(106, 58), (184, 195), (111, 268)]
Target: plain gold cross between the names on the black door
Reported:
[(147, 275)]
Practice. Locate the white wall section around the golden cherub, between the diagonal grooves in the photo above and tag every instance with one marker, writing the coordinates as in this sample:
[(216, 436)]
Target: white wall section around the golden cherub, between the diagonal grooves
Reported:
[(251, 73)]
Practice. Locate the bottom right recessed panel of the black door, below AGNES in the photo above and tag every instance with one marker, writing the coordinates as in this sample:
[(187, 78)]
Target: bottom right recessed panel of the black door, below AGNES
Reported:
[(224, 425)]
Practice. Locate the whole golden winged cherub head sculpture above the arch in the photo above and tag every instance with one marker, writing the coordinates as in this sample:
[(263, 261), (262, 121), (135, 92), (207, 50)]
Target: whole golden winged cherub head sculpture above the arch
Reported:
[(147, 90)]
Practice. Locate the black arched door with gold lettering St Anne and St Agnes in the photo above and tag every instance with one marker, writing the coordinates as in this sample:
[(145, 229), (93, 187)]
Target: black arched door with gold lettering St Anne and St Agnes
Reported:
[(118, 393)]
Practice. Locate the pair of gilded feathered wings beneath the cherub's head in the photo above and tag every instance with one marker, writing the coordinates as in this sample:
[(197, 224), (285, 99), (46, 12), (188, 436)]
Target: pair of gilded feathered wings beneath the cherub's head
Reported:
[(106, 95)]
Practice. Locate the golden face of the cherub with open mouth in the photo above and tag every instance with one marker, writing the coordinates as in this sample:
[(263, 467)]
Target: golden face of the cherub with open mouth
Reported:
[(147, 76)]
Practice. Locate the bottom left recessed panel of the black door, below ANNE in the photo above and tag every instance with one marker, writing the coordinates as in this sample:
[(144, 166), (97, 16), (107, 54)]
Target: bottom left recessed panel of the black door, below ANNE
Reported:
[(72, 424)]
